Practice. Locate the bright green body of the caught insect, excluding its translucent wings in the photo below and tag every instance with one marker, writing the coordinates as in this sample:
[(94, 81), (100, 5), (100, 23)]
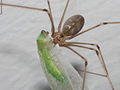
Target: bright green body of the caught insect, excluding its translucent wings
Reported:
[(44, 50)]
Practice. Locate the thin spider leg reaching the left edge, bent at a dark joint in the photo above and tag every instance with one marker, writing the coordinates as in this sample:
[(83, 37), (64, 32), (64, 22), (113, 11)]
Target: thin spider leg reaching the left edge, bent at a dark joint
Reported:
[(32, 8)]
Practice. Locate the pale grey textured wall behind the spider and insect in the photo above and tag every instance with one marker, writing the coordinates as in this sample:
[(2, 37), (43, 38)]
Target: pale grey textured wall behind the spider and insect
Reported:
[(19, 62)]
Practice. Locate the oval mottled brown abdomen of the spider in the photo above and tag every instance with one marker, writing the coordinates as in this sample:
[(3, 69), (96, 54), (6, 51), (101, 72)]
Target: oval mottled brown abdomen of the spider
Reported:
[(73, 25)]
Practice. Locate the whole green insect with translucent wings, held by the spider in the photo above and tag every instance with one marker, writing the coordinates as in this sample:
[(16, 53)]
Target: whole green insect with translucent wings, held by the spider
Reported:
[(61, 76)]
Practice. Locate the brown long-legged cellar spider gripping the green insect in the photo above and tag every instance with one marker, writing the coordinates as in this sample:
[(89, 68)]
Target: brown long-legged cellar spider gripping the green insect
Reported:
[(71, 29)]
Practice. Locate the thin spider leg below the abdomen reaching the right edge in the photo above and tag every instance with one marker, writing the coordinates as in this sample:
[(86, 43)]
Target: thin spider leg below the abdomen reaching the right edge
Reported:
[(92, 28)]
